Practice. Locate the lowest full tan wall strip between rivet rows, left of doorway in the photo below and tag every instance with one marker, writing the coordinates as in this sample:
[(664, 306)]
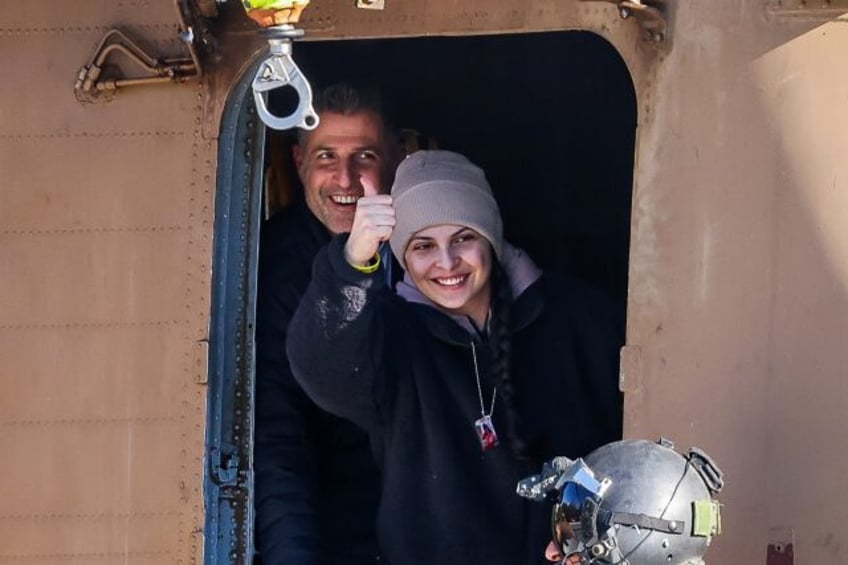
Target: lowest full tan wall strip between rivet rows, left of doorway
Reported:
[(93, 466)]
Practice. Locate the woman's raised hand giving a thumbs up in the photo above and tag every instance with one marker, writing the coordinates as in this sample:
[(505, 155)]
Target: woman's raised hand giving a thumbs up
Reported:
[(372, 225)]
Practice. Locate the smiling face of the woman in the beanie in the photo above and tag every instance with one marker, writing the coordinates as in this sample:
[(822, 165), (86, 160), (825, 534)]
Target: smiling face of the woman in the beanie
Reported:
[(451, 265)]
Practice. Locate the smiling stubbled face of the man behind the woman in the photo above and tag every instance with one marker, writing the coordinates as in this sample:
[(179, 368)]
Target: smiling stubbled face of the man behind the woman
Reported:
[(337, 155)]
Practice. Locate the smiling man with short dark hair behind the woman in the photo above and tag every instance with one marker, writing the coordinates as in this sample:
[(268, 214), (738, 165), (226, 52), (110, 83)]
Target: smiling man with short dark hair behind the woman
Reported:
[(317, 485)]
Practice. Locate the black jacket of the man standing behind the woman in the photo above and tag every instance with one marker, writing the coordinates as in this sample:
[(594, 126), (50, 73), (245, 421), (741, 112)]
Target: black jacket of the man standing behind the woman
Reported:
[(317, 485)]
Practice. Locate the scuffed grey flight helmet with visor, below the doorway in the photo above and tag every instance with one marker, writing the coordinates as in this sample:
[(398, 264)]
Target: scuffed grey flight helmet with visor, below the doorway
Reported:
[(632, 502)]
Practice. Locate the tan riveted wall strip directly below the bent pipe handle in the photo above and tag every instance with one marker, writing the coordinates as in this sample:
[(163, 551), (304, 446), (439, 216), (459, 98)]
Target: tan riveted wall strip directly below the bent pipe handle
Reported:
[(48, 190)]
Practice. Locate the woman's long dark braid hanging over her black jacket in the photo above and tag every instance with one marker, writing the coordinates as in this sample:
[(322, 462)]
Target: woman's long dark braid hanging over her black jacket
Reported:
[(501, 347)]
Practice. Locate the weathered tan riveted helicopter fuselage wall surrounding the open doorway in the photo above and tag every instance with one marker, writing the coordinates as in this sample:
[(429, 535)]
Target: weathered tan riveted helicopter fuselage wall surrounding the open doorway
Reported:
[(738, 269)]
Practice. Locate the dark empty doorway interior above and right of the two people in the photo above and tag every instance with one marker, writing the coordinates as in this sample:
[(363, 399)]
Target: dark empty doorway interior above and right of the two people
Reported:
[(551, 117)]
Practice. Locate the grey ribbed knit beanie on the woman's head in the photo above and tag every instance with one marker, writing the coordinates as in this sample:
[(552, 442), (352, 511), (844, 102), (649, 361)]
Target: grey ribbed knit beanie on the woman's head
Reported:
[(432, 188)]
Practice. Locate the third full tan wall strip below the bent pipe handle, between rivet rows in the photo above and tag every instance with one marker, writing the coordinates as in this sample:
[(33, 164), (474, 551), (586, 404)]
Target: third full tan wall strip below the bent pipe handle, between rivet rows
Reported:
[(93, 373)]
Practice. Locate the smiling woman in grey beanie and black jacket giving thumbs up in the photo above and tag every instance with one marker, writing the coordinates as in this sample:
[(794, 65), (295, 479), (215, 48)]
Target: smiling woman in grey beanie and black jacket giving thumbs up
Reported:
[(459, 376)]
